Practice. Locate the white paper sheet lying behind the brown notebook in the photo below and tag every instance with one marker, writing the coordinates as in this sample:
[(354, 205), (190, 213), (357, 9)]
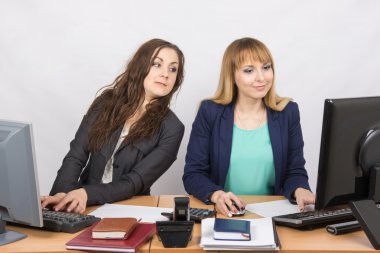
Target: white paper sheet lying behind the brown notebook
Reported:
[(145, 213)]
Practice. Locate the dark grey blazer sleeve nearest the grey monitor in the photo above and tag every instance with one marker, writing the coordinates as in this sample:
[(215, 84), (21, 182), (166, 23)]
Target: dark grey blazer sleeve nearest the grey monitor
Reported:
[(74, 161)]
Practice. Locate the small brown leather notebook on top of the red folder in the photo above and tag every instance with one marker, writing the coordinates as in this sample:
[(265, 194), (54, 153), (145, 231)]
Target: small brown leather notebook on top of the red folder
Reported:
[(114, 228)]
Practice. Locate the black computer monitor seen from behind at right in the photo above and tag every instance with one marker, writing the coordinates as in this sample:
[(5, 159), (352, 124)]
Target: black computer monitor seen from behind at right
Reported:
[(349, 162)]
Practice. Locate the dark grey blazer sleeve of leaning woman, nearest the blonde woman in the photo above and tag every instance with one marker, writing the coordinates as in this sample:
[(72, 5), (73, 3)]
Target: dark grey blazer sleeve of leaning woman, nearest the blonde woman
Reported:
[(142, 176)]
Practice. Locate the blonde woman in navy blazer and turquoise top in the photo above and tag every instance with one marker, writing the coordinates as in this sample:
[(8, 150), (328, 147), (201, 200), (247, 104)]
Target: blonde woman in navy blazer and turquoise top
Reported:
[(246, 140)]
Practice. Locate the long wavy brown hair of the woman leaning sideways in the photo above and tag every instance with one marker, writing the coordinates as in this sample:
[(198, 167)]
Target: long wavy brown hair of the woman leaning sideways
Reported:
[(120, 100)]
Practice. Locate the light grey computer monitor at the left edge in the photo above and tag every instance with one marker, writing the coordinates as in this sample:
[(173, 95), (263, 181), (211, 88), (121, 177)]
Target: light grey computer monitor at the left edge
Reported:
[(19, 192)]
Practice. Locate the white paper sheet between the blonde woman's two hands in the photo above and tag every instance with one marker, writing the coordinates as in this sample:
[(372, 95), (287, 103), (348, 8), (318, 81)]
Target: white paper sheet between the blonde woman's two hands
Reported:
[(275, 208)]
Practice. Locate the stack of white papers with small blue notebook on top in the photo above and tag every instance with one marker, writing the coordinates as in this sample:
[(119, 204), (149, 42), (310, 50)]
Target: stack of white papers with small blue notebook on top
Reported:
[(238, 234)]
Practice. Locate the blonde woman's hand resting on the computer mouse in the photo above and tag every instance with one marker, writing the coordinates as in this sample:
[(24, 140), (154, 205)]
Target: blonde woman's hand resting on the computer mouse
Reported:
[(224, 202)]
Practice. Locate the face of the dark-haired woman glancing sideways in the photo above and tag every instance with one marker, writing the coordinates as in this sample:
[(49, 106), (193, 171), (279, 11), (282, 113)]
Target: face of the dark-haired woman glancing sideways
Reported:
[(162, 74)]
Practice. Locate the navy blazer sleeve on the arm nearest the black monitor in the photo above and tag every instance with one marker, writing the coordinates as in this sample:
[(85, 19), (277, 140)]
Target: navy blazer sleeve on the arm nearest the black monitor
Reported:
[(295, 173)]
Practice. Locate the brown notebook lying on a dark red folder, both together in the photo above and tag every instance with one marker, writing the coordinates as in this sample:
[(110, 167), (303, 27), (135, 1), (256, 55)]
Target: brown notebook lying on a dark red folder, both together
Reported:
[(113, 234)]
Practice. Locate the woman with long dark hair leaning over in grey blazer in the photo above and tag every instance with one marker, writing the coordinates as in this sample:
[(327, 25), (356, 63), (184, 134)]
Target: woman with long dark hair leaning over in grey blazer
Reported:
[(129, 136)]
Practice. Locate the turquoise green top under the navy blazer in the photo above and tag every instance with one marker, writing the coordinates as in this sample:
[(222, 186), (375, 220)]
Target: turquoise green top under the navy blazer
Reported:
[(251, 170)]
